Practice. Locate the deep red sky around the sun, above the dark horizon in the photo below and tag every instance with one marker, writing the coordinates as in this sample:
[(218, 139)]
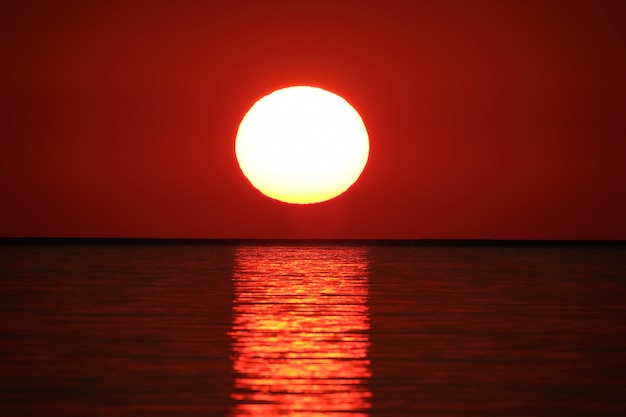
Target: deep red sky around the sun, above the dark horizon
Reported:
[(487, 119)]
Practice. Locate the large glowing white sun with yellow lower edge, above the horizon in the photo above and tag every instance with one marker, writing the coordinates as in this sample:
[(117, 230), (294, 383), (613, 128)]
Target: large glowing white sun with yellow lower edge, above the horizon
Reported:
[(302, 145)]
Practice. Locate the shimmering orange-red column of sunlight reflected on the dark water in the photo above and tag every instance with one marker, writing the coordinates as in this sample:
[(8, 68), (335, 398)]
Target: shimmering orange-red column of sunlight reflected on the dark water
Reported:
[(300, 332)]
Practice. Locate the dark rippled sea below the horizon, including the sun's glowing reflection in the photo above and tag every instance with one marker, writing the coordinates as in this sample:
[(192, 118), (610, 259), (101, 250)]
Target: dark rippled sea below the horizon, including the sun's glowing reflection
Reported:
[(333, 329)]
